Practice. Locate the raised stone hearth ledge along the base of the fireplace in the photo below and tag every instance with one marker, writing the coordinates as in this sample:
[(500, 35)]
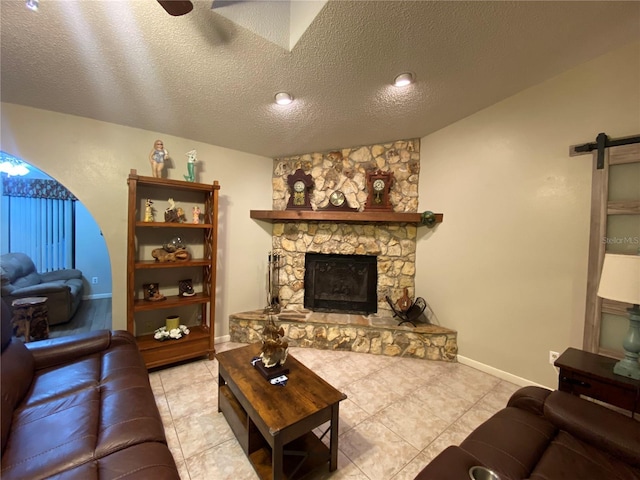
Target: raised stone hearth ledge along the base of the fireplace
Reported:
[(355, 333)]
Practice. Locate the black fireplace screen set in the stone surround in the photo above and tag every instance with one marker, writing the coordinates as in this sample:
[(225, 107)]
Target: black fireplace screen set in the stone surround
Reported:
[(341, 283)]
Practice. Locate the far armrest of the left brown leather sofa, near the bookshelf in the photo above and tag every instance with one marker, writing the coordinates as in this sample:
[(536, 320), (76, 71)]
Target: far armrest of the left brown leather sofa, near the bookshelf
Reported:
[(56, 351)]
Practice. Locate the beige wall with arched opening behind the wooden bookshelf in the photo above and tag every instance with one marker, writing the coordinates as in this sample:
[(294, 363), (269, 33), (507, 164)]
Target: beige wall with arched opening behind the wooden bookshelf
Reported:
[(93, 160)]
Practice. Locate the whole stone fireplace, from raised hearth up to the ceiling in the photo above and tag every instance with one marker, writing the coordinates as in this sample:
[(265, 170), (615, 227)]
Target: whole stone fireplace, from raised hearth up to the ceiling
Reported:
[(308, 317)]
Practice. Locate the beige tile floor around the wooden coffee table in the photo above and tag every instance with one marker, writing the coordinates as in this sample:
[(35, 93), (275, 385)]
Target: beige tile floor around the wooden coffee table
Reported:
[(398, 415)]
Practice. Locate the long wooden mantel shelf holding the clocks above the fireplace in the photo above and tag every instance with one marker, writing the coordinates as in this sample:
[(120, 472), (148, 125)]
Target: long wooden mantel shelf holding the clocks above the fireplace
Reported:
[(337, 216)]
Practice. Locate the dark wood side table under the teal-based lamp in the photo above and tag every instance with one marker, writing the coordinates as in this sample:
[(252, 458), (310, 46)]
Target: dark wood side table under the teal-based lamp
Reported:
[(591, 375)]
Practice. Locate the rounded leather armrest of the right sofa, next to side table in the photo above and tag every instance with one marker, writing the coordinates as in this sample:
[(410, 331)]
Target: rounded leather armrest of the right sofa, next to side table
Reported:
[(595, 424)]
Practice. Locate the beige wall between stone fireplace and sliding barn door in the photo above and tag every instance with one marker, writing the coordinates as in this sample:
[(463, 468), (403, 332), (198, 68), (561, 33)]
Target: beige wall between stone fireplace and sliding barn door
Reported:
[(507, 268)]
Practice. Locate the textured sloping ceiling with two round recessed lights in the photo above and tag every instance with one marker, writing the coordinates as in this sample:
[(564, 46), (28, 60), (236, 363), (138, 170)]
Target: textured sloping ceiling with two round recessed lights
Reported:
[(205, 78)]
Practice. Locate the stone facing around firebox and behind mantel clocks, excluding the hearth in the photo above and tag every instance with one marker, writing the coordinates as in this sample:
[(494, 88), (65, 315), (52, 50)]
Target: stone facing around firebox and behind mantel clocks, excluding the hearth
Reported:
[(394, 244)]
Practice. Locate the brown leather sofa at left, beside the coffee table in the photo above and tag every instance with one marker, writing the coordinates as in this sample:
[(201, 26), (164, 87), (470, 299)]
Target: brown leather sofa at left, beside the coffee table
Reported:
[(79, 407)]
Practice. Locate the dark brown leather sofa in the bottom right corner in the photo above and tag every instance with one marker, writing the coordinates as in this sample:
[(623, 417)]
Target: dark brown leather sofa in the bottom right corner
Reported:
[(546, 435)]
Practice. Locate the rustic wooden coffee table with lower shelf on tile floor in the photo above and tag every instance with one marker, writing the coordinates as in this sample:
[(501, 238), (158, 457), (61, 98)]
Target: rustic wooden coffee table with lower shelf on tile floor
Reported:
[(274, 424)]
